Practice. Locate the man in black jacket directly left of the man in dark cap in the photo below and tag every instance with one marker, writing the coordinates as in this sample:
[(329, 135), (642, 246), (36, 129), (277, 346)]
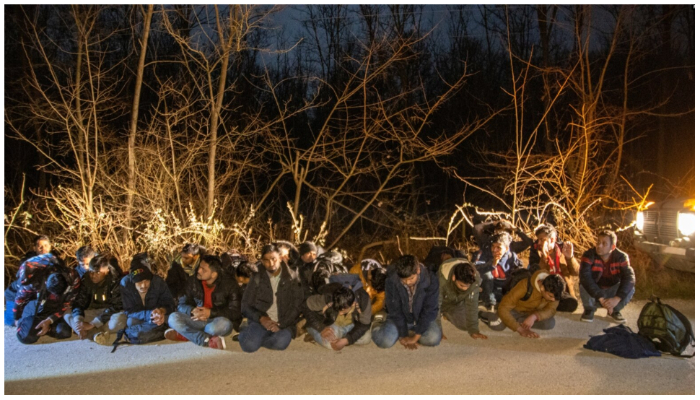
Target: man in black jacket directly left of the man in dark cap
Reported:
[(100, 301)]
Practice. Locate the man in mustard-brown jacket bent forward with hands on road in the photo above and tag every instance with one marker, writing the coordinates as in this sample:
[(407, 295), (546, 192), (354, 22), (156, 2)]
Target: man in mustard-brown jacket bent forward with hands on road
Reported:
[(532, 303)]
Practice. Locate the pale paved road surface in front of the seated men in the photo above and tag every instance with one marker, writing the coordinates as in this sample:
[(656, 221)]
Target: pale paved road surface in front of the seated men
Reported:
[(504, 364)]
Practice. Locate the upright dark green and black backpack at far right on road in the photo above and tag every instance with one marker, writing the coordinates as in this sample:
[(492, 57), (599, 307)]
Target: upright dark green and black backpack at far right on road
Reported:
[(666, 327)]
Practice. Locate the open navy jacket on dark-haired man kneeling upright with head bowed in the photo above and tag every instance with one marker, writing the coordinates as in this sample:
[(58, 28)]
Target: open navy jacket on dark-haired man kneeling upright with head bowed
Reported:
[(425, 302)]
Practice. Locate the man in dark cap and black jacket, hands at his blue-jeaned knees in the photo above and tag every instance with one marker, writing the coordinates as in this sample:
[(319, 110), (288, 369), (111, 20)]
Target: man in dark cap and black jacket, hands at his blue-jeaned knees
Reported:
[(147, 301)]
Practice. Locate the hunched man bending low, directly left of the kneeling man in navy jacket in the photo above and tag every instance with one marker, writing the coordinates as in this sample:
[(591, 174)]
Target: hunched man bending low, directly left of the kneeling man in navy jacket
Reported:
[(338, 316)]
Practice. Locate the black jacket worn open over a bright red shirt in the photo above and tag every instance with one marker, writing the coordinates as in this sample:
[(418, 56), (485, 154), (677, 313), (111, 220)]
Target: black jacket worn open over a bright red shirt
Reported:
[(225, 299)]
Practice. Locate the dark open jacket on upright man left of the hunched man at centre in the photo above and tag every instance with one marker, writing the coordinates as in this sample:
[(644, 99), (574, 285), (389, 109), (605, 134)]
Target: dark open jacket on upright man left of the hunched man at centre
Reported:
[(258, 295)]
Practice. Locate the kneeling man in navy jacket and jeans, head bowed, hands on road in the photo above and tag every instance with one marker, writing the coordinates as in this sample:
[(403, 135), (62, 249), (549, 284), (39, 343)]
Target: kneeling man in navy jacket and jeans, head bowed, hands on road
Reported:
[(412, 307)]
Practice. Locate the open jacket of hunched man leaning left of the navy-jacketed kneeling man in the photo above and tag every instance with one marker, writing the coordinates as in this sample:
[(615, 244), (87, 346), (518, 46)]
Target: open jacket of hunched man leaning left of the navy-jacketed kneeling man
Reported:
[(319, 313)]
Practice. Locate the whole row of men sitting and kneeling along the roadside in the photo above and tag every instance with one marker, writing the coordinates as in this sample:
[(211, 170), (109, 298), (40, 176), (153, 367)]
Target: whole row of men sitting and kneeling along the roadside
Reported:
[(204, 298)]
